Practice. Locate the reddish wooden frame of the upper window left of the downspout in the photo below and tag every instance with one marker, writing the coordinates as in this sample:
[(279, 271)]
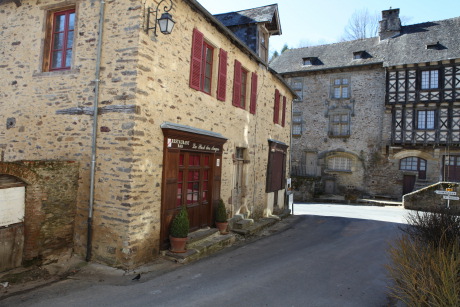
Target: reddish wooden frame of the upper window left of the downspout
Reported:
[(47, 63)]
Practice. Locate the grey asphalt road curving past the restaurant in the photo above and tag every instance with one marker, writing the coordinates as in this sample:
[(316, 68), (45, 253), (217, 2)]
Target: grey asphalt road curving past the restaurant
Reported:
[(315, 261)]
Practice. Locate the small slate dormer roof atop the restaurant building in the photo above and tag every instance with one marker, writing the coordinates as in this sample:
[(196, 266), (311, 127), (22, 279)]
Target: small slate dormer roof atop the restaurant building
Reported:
[(265, 14)]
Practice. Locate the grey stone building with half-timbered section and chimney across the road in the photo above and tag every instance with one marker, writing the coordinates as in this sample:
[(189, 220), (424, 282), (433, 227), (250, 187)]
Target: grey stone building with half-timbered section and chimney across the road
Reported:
[(377, 117)]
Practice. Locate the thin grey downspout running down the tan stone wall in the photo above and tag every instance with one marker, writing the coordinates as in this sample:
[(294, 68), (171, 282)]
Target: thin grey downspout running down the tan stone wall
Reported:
[(94, 133)]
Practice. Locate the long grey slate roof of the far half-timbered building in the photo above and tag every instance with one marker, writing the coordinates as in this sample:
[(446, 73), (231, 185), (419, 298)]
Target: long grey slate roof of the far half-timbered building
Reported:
[(409, 47)]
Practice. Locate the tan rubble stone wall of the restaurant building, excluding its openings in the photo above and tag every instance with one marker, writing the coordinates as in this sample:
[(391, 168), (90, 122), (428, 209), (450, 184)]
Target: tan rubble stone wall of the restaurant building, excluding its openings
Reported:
[(143, 83)]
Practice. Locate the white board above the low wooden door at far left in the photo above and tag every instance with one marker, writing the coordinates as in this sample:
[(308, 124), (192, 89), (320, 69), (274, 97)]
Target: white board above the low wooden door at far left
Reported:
[(12, 205)]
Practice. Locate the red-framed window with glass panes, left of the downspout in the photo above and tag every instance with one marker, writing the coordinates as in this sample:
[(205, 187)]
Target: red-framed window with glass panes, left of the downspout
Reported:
[(59, 40)]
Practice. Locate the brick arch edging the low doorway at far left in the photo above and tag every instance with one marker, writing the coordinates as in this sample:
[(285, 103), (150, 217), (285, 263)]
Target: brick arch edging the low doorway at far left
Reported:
[(33, 215)]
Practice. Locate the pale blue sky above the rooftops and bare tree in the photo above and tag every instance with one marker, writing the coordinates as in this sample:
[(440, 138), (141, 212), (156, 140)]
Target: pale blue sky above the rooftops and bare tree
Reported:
[(308, 22)]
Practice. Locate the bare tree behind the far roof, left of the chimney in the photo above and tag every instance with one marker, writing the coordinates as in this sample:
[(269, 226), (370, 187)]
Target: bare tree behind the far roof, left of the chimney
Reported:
[(361, 24)]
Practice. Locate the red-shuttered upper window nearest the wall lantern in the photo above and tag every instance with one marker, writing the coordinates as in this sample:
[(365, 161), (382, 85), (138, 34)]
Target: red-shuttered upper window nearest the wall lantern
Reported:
[(202, 66)]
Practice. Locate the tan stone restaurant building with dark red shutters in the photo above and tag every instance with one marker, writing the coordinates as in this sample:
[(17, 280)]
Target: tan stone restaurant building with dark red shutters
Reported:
[(109, 126)]
